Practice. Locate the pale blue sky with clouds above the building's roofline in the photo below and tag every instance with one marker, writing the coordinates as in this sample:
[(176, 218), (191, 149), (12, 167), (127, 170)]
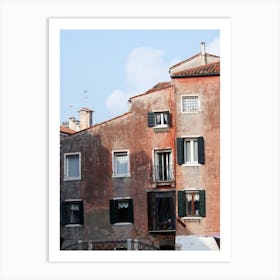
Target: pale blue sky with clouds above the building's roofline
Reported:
[(101, 69)]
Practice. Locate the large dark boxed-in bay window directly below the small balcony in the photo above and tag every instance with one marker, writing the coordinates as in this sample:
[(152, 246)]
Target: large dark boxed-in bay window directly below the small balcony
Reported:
[(161, 211)]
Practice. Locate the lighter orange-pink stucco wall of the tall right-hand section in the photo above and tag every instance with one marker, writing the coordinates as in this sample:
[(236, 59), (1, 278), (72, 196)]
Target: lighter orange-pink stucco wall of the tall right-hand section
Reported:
[(205, 123)]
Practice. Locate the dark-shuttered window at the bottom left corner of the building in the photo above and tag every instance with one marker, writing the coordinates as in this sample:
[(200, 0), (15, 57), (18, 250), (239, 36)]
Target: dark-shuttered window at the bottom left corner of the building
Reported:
[(72, 212)]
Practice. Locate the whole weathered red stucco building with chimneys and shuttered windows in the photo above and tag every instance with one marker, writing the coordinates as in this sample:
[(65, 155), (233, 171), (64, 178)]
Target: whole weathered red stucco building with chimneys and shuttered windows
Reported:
[(150, 177)]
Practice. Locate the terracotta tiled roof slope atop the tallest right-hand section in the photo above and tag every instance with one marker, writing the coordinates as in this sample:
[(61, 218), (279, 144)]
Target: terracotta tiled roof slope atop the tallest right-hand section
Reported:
[(211, 69)]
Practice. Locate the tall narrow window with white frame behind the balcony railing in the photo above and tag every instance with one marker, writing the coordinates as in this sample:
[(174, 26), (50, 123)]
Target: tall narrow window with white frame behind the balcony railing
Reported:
[(163, 166)]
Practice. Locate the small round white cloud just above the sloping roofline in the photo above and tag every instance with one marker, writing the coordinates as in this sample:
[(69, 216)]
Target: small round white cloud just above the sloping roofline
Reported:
[(116, 102)]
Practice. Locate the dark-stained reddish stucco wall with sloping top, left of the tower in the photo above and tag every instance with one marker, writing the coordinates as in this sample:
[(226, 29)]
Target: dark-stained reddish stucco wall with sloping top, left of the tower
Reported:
[(97, 186)]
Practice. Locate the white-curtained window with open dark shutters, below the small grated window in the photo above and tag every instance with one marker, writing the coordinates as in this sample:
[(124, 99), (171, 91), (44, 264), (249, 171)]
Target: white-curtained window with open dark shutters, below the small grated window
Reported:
[(190, 151)]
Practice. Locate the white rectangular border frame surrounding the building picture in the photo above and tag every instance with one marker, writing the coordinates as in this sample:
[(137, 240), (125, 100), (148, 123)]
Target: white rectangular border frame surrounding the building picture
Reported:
[(222, 24)]
